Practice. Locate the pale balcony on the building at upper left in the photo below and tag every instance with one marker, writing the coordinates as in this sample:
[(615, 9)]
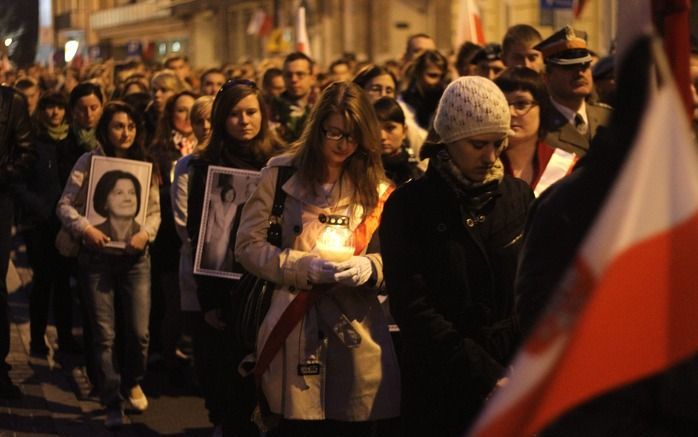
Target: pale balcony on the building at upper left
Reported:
[(119, 16)]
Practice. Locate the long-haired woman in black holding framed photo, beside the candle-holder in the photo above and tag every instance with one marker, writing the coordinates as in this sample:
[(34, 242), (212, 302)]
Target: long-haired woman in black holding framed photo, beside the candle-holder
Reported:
[(240, 138)]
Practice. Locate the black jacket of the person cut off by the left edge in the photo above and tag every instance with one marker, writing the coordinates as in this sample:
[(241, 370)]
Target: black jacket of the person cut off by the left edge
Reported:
[(17, 150)]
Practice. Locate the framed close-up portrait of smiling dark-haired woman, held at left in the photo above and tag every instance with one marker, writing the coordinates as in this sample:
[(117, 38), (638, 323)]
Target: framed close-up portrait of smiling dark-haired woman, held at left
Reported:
[(117, 197)]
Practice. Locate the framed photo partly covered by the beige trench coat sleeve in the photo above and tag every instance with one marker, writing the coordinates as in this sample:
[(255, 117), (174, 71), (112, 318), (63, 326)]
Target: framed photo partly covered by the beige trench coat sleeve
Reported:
[(227, 189)]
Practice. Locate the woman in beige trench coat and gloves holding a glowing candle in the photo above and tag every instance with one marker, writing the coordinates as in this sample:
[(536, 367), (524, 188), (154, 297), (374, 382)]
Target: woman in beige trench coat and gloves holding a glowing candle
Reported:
[(326, 364)]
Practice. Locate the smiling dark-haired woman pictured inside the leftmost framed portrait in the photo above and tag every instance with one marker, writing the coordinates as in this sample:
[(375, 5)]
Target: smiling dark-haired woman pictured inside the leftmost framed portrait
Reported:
[(117, 197)]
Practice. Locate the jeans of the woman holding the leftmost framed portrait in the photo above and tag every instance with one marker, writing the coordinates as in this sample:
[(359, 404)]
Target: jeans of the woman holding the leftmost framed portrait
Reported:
[(117, 283)]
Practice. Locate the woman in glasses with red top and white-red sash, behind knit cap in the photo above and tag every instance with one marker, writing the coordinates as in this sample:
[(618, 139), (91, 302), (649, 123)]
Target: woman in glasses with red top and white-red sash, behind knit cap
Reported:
[(528, 157)]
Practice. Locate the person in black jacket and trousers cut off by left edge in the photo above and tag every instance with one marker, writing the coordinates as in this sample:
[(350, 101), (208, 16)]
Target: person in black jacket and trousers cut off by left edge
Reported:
[(17, 155)]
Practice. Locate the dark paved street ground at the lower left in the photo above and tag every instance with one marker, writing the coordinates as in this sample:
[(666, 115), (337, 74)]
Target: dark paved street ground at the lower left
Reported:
[(57, 398)]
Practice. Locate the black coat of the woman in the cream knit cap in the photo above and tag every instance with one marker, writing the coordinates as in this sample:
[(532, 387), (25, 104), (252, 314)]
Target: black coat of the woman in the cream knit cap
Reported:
[(451, 293)]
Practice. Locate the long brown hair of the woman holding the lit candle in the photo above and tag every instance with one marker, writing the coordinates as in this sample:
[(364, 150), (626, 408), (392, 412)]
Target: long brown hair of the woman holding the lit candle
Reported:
[(364, 167)]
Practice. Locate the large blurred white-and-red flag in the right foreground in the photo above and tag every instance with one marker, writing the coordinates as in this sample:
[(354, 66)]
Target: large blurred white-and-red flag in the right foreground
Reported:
[(627, 307)]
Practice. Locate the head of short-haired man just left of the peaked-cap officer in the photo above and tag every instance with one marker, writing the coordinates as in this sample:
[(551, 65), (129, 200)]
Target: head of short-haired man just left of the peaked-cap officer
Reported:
[(517, 47)]
